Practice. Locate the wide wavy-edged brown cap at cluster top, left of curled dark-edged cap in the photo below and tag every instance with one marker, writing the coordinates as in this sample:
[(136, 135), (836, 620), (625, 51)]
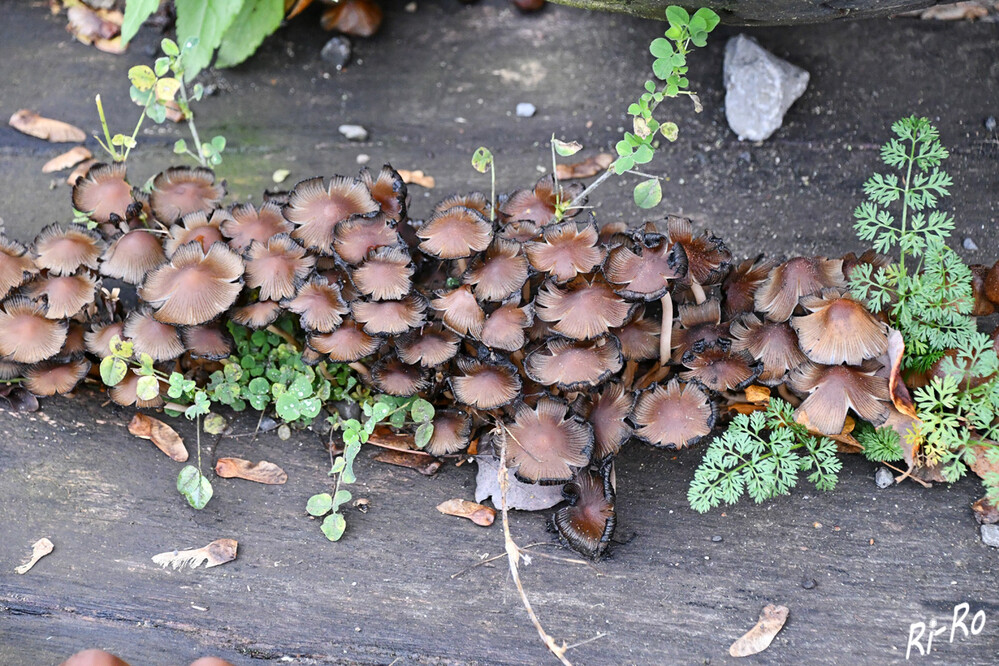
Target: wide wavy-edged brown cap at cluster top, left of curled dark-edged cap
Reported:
[(316, 208)]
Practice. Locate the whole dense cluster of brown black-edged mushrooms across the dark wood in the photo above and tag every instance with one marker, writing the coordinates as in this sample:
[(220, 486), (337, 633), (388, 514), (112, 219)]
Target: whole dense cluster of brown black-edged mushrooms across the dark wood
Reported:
[(559, 338)]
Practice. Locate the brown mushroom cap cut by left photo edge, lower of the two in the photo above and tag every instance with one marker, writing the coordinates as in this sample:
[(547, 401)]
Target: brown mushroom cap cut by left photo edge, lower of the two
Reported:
[(26, 334)]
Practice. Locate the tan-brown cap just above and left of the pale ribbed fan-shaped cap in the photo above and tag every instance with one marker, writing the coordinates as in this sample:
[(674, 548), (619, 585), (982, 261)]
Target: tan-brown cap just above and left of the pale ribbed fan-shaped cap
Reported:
[(779, 294)]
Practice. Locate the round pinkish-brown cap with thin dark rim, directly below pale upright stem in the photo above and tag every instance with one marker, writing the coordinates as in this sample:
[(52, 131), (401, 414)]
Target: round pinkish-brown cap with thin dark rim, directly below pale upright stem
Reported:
[(673, 416)]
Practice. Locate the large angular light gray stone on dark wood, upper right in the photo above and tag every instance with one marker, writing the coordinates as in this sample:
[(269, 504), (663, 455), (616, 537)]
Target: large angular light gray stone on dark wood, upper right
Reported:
[(759, 88)]
